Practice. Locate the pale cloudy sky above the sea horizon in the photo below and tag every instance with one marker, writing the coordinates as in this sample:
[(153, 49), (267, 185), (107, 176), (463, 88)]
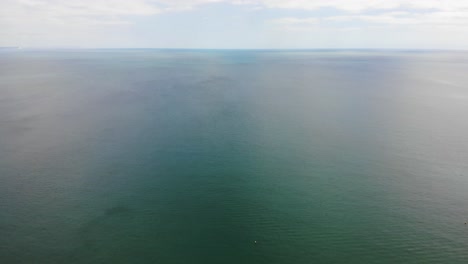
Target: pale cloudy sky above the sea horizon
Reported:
[(235, 24)]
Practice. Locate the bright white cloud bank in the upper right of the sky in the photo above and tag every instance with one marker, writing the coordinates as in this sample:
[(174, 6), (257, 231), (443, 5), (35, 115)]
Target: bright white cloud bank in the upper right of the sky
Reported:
[(448, 14)]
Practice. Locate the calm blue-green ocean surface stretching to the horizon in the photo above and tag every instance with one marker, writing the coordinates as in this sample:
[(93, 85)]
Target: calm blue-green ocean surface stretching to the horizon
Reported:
[(185, 156)]
